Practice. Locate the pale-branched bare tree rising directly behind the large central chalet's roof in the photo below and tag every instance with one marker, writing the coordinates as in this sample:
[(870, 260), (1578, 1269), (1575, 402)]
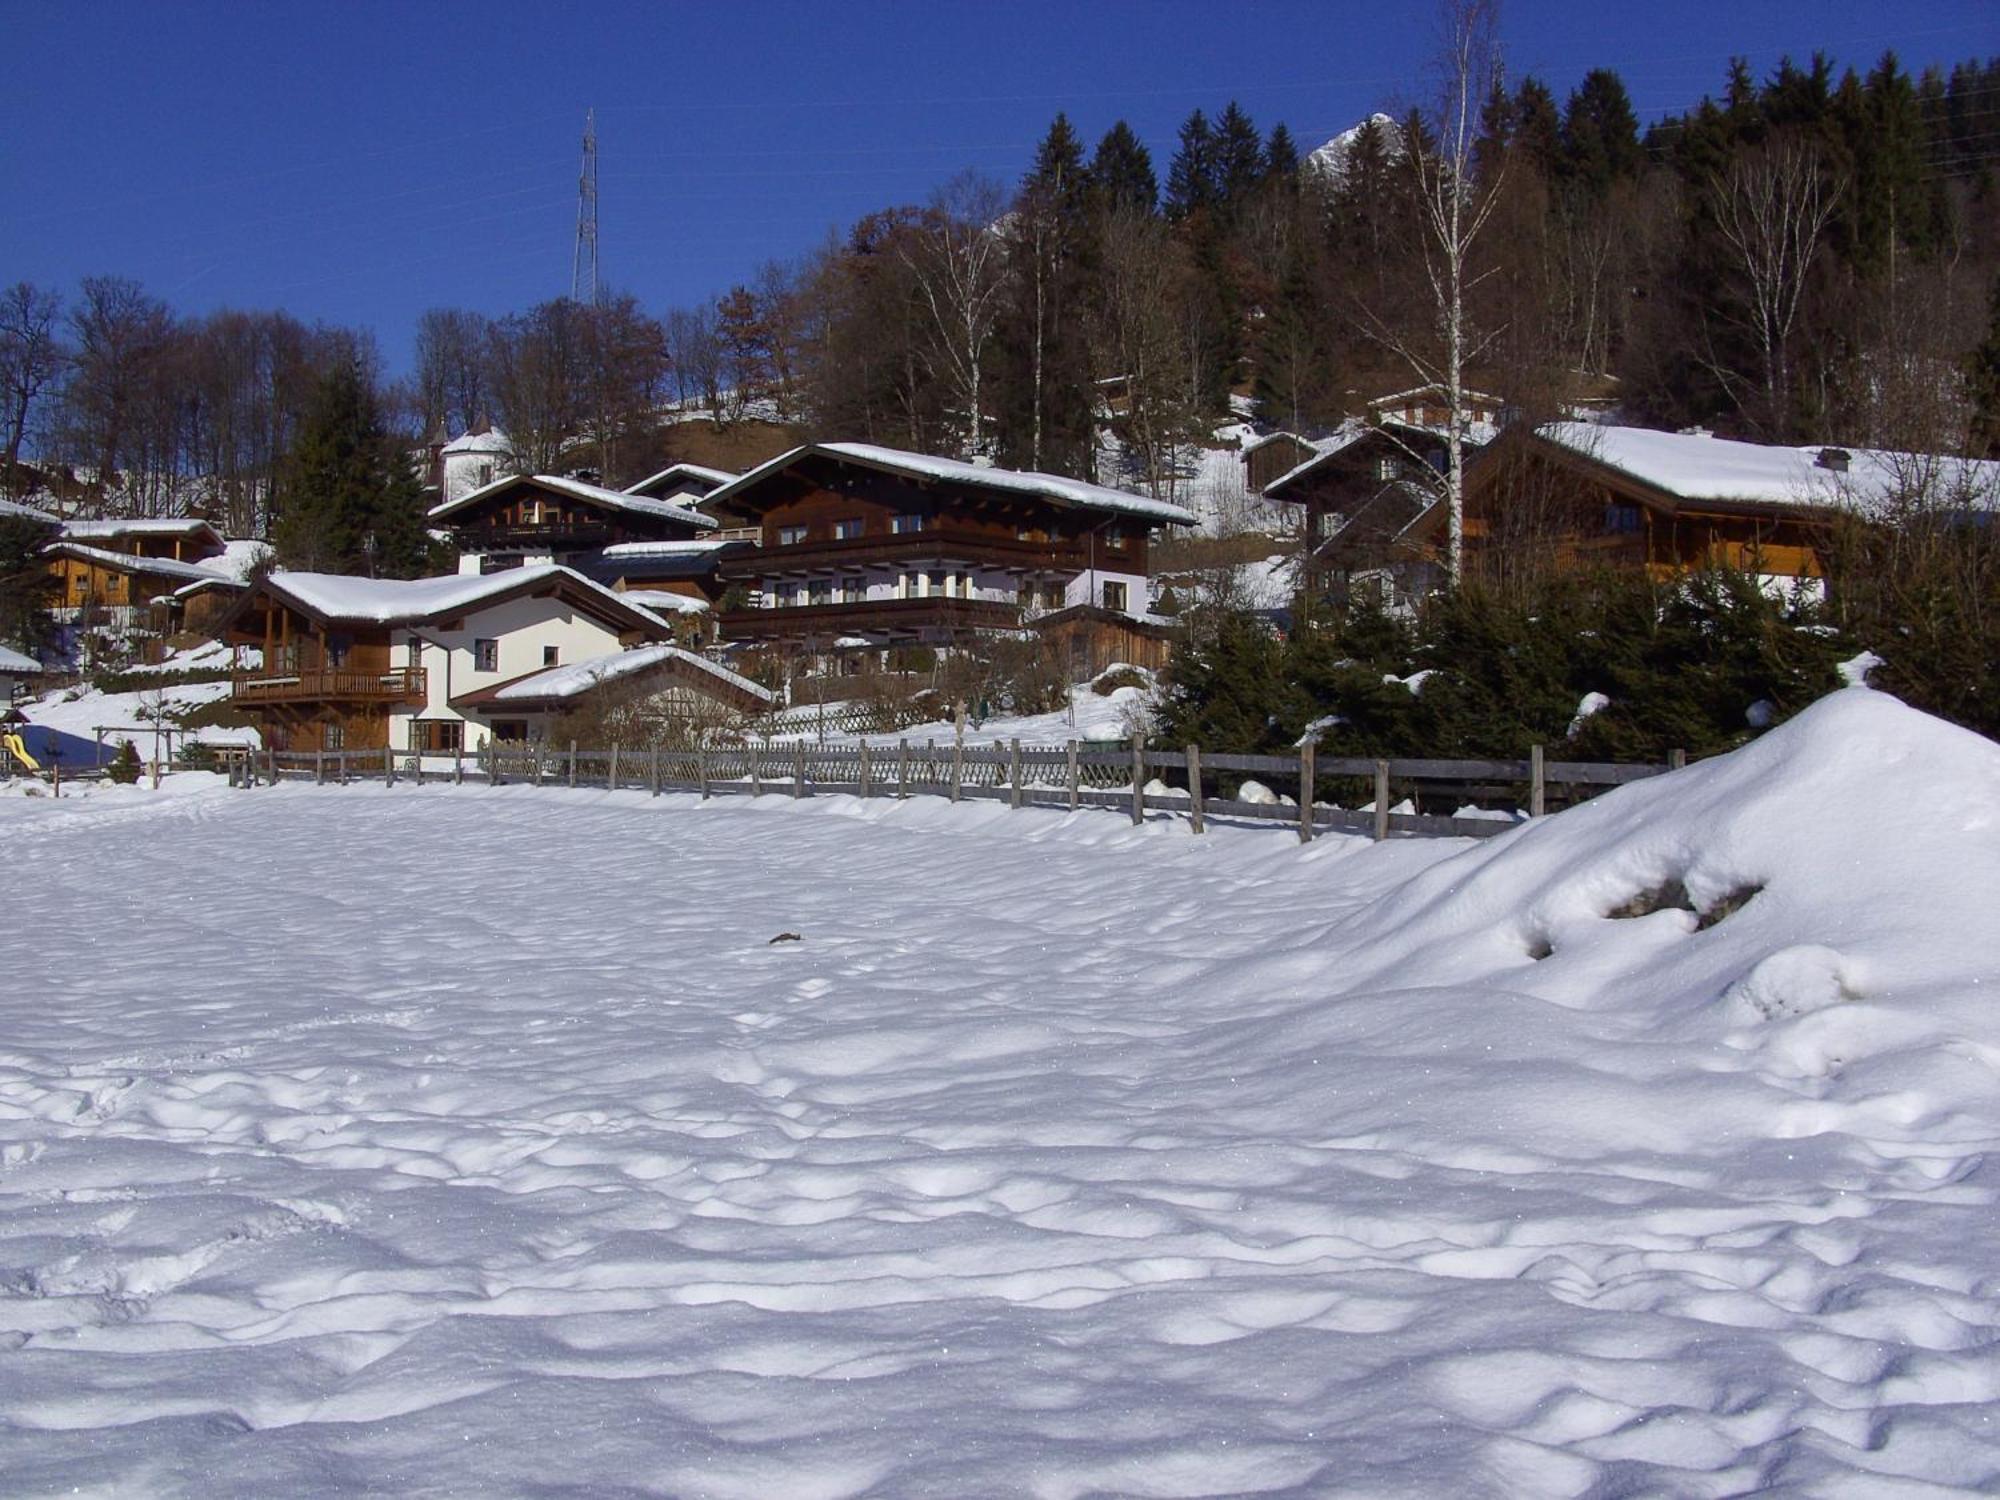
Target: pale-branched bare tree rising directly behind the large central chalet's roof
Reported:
[(959, 265)]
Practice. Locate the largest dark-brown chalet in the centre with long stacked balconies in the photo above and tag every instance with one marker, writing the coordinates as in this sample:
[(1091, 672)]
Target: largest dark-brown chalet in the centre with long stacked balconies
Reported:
[(869, 549)]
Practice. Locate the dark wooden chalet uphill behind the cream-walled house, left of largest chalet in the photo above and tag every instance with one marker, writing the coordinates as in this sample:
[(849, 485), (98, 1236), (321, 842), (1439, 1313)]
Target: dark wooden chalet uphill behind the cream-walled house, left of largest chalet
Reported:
[(541, 519)]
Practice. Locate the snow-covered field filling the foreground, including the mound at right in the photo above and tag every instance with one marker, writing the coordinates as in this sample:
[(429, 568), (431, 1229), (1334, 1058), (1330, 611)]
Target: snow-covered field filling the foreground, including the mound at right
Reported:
[(459, 1141)]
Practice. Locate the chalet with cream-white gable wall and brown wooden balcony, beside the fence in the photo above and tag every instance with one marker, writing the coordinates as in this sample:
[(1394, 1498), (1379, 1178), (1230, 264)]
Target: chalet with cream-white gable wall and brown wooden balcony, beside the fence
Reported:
[(371, 663)]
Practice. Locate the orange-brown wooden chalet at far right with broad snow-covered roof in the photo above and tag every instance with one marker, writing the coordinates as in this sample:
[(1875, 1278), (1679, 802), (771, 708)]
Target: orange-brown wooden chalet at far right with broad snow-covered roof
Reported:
[(1575, 495)]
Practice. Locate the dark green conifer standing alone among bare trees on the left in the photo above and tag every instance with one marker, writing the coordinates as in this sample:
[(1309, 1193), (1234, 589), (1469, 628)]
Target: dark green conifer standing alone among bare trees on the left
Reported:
[(347, 499)]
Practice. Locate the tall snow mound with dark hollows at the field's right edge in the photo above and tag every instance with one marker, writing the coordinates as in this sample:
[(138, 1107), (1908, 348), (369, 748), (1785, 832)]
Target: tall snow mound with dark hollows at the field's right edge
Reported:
[(1777, 881)]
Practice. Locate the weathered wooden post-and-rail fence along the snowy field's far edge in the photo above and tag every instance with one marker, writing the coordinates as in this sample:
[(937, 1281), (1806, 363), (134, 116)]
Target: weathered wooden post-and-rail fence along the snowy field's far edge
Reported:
[(1025, 777)]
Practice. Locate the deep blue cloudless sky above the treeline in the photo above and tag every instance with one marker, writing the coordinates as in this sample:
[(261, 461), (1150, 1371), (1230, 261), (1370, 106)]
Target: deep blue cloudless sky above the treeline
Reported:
[(361, 163)]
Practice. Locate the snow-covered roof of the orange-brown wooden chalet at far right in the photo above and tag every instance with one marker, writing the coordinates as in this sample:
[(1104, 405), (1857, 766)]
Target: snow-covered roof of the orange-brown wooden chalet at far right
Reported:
[(1699, 467)]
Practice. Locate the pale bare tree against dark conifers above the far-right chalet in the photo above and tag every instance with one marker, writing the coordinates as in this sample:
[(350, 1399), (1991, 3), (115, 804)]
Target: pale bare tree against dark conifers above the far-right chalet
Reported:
[(1771, 209)]
